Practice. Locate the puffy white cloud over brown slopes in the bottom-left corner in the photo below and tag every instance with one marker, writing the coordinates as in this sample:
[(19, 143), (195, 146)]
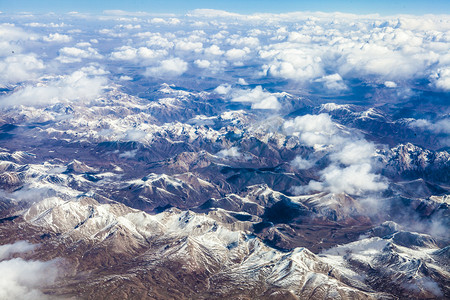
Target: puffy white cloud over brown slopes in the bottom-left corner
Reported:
[(22, 279)]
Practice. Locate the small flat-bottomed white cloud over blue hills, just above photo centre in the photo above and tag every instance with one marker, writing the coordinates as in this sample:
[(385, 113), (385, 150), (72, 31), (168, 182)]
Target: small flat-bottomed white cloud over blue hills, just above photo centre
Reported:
[(259, 98)]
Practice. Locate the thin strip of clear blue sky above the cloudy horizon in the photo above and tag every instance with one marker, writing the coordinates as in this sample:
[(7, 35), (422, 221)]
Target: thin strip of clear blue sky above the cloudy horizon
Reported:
[(383, 7)]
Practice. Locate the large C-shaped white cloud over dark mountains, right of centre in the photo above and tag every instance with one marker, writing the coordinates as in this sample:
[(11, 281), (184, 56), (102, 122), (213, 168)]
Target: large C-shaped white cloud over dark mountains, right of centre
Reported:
[(350, 169)]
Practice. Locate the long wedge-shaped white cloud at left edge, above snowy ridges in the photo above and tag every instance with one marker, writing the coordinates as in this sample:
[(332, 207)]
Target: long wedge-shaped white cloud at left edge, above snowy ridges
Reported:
[(82, 85)]
